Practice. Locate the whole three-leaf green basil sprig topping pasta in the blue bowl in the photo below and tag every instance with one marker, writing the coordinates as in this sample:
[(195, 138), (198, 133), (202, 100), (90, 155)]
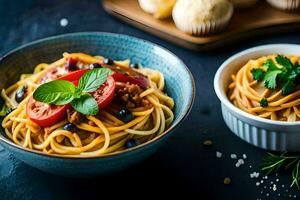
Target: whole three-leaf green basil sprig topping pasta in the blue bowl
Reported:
[(61, 92)]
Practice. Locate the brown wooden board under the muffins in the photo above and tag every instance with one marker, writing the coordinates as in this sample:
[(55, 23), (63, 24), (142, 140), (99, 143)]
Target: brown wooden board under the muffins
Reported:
[(261, 19)]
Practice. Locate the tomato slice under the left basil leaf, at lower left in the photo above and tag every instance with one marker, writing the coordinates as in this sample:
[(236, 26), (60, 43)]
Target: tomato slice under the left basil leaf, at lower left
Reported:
[(44, 114)]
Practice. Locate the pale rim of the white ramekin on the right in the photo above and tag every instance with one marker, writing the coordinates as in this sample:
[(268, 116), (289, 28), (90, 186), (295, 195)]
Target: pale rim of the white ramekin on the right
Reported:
[(224, 99)]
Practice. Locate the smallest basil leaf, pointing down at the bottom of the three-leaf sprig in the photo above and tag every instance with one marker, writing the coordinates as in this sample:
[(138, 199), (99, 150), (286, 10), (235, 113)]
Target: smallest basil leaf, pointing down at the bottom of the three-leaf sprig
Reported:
[(86, 104)]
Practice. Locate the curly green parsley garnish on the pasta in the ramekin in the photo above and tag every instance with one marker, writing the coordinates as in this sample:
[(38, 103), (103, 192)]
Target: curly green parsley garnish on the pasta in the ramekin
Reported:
[(281, 74)]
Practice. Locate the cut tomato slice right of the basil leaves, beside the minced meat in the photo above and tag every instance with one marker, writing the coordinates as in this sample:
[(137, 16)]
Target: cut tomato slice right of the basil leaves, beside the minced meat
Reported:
[(105, 93)]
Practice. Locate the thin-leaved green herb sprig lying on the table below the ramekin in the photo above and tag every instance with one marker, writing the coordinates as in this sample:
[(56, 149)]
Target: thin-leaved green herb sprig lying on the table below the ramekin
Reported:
[(274, 163)]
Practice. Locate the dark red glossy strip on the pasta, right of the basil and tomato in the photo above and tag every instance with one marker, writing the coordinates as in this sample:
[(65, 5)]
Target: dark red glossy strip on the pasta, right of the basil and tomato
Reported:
[(142, 81)]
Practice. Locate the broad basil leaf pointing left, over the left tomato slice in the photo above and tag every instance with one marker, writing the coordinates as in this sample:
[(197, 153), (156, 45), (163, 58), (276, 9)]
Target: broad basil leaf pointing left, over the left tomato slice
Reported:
[(58, 92)]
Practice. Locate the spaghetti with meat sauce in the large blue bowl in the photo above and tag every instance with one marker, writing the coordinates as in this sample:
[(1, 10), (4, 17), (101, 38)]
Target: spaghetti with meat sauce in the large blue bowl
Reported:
[(94, 135)]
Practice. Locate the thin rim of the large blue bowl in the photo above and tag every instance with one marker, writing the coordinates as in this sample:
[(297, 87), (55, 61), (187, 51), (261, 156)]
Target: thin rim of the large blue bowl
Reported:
[(186, 111)]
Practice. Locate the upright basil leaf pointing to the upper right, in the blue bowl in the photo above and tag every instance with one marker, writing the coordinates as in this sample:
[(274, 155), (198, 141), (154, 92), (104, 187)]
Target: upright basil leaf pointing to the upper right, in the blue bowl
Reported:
[(93, 79)]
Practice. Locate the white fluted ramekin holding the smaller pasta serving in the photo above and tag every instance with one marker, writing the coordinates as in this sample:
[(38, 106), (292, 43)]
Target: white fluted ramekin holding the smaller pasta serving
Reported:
[(264, 133)]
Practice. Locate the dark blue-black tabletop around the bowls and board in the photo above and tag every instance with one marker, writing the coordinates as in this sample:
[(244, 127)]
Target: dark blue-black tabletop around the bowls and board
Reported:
[(183, 167)]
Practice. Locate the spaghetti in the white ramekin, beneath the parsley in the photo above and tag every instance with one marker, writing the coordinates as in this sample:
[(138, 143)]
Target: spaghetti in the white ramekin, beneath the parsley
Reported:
[(249, 94)]
